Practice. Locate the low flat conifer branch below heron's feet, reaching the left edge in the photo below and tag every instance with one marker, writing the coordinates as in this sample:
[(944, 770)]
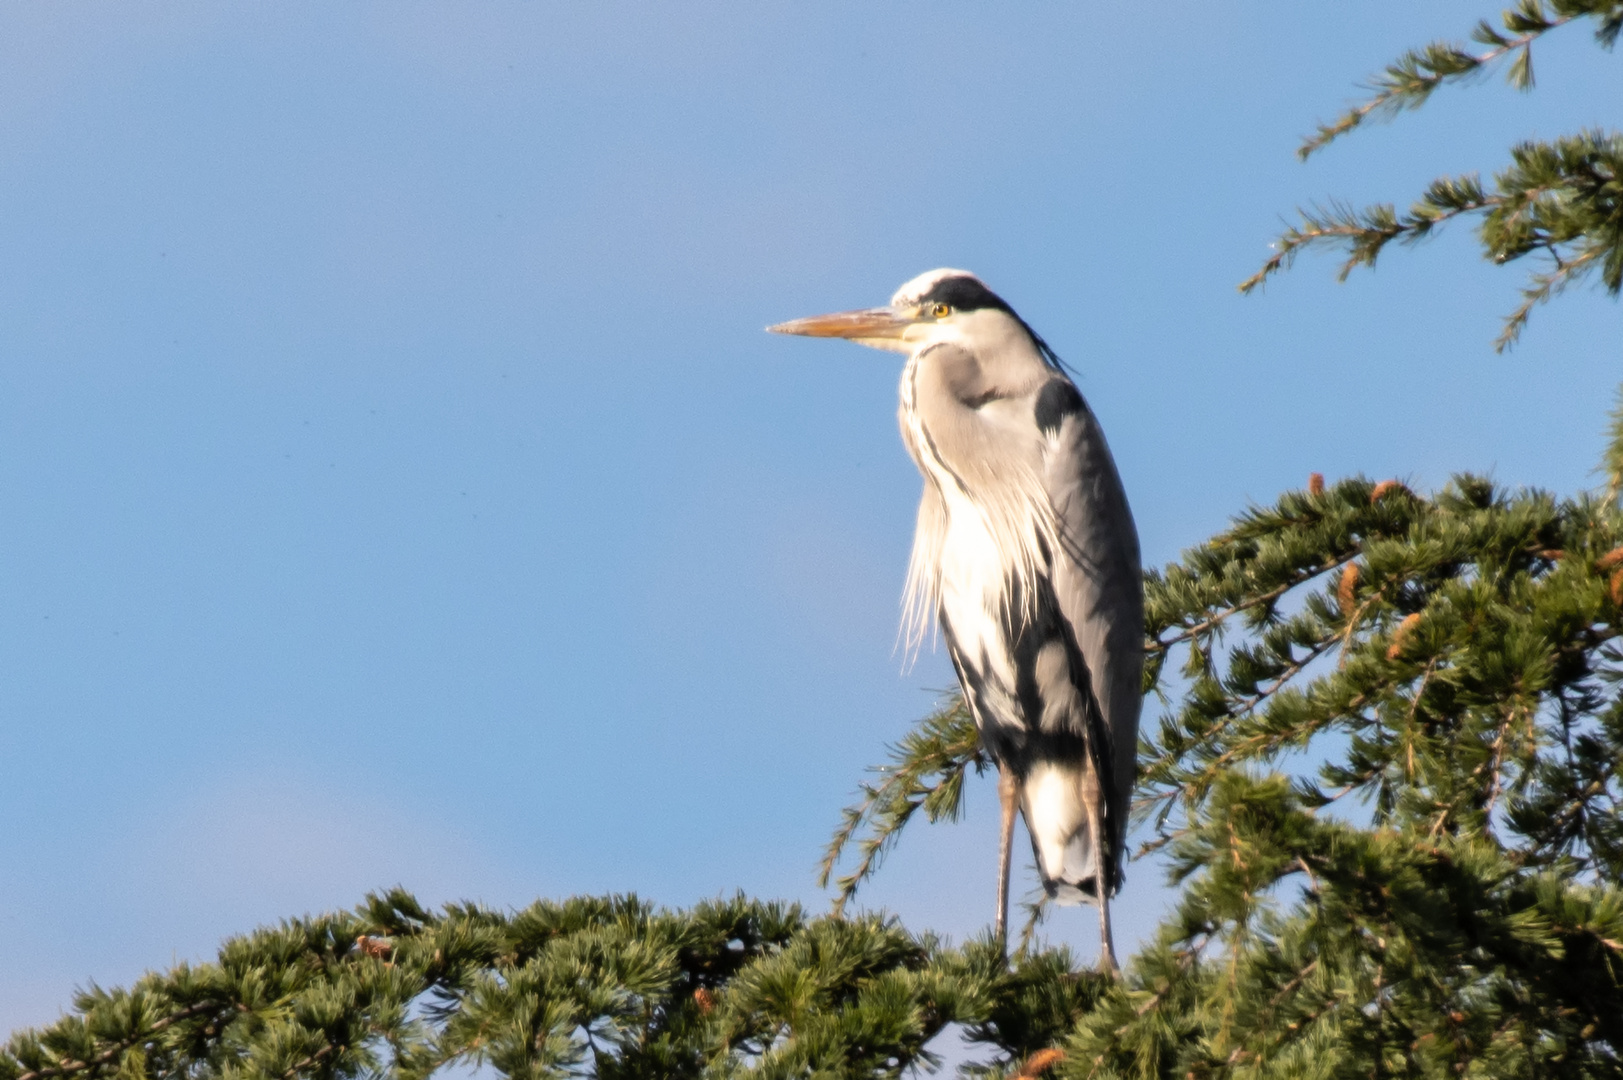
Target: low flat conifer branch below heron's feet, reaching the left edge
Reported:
[(593, 987)]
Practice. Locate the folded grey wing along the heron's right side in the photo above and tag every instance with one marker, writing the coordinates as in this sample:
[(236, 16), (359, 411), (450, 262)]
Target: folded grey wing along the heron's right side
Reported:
[(1098, 579)]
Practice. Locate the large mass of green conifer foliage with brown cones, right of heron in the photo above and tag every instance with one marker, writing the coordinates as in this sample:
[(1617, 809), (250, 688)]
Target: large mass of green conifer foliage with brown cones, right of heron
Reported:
[(1388, 787)]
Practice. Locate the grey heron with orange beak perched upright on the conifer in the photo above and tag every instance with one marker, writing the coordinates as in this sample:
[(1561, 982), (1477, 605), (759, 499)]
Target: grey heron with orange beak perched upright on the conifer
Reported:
[(1028, 559)]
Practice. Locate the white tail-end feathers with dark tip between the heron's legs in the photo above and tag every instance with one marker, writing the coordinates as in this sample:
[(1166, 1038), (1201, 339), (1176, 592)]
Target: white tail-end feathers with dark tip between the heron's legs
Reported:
[(1057, 801)]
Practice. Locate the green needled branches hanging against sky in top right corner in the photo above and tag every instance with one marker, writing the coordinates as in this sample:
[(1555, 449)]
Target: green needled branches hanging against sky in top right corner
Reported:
[(1561, 201)]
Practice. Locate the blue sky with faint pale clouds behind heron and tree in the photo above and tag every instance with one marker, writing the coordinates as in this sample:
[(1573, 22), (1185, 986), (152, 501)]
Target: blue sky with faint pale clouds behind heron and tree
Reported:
[(397, 485)]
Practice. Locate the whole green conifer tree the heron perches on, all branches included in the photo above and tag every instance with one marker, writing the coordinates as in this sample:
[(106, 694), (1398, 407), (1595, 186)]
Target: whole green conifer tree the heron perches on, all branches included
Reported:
[(1434, 897)]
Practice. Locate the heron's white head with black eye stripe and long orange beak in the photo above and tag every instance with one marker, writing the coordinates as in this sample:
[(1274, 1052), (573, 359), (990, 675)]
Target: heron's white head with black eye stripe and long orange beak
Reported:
[(936, 306)]
